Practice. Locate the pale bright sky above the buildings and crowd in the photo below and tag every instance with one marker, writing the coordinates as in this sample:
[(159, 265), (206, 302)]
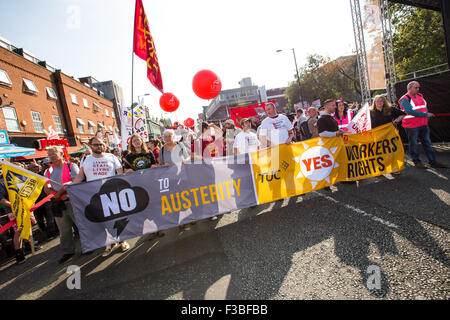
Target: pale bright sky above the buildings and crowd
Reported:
[(233, 38)]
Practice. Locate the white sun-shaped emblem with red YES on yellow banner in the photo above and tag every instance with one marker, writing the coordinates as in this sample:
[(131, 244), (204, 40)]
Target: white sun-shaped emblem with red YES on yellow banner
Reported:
[(316, 163)]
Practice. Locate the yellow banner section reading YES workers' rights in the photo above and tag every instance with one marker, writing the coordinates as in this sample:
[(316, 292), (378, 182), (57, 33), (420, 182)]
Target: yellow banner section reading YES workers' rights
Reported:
[(298, 168)]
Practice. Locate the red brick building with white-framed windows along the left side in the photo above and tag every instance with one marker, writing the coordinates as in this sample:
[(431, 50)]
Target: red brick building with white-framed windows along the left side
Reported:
[(35, 96)]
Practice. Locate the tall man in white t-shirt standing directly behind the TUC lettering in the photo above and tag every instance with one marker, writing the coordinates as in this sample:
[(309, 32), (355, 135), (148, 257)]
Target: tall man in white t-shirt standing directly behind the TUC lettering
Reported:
[(276, 128)]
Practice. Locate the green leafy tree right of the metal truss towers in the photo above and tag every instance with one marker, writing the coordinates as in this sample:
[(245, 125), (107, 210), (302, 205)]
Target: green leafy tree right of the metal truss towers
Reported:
[(419, 39)]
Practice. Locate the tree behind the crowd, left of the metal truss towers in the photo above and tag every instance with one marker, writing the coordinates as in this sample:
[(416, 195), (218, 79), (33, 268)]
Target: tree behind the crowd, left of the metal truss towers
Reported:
[(323, 79)]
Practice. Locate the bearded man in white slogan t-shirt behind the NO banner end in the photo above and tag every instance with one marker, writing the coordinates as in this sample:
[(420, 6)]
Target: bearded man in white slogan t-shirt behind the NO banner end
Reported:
[(100, 165)]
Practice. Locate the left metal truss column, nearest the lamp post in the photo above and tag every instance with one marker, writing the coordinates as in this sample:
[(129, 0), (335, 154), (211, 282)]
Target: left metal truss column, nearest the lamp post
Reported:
[(360, 50)]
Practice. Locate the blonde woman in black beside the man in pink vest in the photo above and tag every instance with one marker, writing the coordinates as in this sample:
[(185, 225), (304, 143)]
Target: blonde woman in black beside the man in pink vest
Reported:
[(382, 112)]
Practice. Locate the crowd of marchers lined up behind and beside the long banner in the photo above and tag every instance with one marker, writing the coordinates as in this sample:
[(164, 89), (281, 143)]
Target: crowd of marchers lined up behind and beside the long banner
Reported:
[(331, 119)]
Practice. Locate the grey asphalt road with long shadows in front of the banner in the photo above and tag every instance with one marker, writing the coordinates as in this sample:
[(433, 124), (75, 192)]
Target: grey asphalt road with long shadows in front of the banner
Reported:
[(323, 245)]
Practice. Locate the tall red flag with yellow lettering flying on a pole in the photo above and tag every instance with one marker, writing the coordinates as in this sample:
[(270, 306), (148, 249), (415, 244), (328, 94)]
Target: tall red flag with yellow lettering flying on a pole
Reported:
[(144, 47)]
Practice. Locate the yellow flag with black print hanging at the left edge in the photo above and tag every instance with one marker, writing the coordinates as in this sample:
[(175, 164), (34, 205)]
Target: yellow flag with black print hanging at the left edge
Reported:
[(23, 188)]
